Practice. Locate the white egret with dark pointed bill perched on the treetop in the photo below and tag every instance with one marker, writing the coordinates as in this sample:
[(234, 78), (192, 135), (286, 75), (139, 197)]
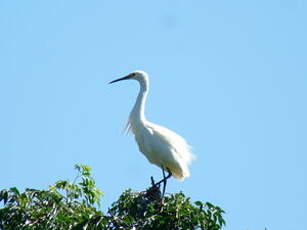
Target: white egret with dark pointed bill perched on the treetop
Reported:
[(161, 146)]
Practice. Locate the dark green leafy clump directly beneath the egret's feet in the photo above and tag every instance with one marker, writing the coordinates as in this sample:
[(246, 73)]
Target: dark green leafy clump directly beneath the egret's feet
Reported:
[(144, 211)]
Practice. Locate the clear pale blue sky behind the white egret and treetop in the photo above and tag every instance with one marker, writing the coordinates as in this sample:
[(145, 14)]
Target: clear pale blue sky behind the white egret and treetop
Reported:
[(229, 76)]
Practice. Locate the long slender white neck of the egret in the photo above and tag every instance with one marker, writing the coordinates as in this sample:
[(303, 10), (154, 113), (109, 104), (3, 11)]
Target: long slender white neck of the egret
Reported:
[(137, 114)]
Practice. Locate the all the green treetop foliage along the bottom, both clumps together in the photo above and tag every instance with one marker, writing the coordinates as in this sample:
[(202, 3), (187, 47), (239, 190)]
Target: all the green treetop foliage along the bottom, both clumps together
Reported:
[(75, 205)]
